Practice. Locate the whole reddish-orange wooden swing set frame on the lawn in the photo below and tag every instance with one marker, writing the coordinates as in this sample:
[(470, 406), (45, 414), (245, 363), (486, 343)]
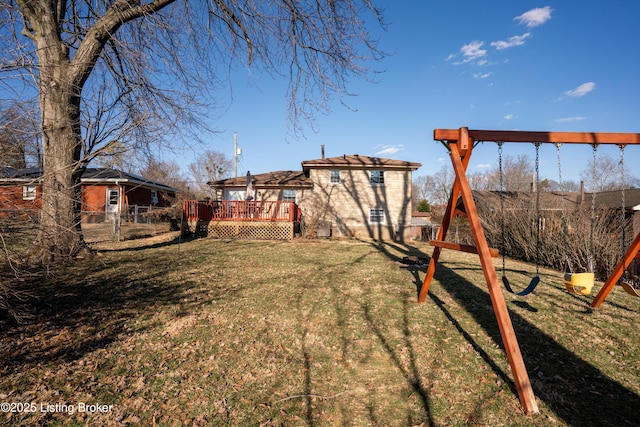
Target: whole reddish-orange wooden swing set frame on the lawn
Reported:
[(460, 143)]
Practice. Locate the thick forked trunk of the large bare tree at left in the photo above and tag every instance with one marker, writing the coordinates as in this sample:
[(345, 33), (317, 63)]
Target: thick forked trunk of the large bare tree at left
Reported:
[(60, 83)]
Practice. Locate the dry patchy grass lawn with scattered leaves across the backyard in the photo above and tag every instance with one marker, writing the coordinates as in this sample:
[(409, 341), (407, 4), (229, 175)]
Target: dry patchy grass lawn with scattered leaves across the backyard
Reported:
[(309, 333)]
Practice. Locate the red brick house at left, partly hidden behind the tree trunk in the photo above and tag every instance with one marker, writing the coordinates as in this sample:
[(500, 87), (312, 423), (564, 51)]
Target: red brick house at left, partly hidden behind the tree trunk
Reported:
[(105, 192)]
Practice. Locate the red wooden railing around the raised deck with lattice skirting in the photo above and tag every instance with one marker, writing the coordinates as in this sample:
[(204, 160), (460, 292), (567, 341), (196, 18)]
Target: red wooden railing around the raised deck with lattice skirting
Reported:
[(240, 210)]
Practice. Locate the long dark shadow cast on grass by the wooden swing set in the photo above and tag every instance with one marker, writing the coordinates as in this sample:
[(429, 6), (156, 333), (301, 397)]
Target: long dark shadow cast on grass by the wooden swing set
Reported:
[(572, 388)]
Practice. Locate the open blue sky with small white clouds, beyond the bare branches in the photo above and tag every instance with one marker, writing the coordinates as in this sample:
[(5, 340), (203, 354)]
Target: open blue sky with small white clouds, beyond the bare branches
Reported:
[(511, 65)]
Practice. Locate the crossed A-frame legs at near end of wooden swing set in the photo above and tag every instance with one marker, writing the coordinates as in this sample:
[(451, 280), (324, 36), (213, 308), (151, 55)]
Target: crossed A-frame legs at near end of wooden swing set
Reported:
[(460, 152)]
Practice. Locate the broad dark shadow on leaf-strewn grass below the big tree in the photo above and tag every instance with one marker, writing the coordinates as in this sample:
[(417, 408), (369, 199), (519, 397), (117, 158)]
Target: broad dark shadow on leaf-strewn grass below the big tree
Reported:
[(90, 304)]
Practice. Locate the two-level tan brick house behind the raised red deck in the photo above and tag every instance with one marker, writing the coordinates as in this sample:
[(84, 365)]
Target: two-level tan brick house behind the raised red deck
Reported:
[(351, 195)]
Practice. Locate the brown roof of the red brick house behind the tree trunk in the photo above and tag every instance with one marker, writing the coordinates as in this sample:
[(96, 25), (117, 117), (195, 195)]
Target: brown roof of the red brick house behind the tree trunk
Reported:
[(90, 176)]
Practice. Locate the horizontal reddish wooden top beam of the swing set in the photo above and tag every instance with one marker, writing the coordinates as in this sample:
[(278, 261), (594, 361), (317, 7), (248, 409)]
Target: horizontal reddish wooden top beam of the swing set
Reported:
[(540, 137)]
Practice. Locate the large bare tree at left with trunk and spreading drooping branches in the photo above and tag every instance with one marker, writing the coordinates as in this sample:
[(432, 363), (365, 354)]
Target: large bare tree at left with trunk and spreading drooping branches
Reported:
[(90, 63)]
